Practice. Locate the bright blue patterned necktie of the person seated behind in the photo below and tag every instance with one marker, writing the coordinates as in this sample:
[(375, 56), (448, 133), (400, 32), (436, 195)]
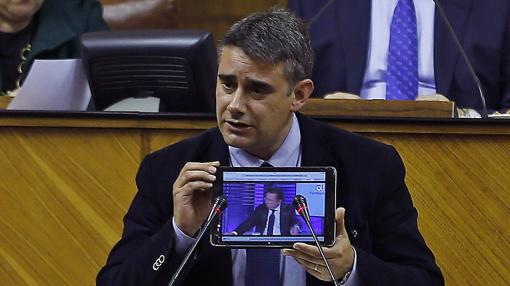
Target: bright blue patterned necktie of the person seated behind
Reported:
[(402, 73)]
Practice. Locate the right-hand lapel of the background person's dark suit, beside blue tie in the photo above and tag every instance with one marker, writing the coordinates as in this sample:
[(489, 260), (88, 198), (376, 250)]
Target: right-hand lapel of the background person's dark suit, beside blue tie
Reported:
[(446, 54)]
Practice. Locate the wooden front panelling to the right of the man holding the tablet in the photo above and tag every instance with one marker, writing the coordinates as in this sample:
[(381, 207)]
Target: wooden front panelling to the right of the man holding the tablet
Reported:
[(460, 186)]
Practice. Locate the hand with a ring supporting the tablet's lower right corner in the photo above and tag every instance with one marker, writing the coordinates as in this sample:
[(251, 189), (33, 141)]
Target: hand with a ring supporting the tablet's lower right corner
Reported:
[(340, 256)]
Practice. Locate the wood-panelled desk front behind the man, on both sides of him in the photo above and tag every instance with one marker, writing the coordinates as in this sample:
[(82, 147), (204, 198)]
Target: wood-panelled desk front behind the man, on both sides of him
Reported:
[(66, 180)]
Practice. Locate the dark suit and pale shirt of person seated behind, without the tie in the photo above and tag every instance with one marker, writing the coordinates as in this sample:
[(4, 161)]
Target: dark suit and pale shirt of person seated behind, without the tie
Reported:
[(347, 41)]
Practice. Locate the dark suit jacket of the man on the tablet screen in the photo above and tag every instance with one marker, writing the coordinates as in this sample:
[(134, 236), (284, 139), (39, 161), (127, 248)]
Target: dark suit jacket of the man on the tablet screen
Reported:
[(258, 218)]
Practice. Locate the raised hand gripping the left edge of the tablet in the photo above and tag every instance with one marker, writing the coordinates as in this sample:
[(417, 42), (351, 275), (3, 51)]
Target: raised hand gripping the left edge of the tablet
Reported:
[(192, 196)]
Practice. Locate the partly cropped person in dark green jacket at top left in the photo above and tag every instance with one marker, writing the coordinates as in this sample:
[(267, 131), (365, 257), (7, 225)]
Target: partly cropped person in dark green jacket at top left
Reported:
[(41, 29)]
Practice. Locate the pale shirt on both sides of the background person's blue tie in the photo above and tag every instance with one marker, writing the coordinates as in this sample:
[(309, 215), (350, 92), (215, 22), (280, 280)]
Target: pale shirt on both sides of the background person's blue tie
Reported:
[(374, 80)]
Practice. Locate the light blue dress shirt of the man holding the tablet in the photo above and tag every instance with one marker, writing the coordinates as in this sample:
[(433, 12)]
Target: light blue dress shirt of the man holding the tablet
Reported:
[(287, 155)]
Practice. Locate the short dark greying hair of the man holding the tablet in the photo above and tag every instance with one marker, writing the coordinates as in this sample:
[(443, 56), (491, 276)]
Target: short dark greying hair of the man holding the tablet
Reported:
[(274, 36)]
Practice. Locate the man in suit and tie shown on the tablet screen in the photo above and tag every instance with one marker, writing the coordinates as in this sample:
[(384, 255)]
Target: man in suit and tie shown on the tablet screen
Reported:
[(272, 217)]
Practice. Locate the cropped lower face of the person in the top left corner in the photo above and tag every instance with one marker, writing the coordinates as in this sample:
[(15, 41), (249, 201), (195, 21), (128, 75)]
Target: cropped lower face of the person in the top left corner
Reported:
[(13, 11)]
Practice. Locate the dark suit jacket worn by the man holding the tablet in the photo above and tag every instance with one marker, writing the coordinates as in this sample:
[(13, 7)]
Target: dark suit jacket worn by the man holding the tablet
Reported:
[(380, 217)]
